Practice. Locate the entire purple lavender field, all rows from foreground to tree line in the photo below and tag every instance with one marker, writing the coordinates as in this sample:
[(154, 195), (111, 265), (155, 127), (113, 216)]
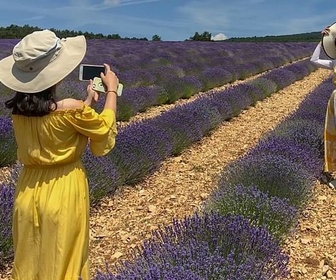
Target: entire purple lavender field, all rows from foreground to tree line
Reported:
[(255, 196)]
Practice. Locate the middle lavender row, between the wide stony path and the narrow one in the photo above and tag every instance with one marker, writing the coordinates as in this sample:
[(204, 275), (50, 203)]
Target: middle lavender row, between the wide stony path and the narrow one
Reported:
[(142, 146)]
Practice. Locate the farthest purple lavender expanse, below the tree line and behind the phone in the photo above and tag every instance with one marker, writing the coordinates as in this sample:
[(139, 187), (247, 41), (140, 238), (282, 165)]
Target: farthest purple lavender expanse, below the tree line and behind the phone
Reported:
[(156, 73)]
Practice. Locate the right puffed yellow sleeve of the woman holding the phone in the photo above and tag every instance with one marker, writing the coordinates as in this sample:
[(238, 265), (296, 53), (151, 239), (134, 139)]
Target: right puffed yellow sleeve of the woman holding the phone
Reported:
[(100, 128)]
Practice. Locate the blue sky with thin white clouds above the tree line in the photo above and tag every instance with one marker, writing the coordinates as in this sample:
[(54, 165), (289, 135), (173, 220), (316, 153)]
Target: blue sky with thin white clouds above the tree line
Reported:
[(172, 20)]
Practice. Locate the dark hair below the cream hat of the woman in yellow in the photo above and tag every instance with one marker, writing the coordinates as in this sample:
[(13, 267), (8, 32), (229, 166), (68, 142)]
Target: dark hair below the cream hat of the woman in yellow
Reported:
[(33, 104)]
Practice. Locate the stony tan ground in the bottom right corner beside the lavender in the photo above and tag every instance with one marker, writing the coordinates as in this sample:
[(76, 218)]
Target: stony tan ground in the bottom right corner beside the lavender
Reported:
[(312, 247)]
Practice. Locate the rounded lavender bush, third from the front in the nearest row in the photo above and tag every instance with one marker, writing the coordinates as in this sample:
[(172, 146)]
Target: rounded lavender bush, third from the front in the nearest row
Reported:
[(273, 174)]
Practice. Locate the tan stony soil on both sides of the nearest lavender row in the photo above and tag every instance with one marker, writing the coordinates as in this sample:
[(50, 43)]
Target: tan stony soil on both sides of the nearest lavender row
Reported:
[(182, 183)]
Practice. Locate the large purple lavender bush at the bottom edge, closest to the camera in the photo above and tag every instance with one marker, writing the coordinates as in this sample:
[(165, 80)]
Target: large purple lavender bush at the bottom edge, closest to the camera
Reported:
[(211, 246)]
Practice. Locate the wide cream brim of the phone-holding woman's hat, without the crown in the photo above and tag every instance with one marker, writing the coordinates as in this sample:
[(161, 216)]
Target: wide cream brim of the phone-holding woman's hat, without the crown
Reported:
[(71, 54)]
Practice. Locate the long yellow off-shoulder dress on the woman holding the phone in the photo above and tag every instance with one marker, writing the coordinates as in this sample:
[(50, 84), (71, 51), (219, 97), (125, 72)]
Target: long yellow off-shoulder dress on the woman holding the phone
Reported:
[(51, 206)]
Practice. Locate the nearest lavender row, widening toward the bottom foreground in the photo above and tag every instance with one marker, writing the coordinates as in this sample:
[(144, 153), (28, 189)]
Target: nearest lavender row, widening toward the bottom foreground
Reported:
[(238, 232)]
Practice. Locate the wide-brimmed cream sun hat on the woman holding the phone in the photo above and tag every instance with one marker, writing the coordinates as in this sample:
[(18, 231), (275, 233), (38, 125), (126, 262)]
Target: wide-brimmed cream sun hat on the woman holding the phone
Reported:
[(41, 60)]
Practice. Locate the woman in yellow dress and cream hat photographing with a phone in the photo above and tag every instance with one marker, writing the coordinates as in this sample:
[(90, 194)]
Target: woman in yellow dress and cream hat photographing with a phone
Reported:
[(51, 207)]
